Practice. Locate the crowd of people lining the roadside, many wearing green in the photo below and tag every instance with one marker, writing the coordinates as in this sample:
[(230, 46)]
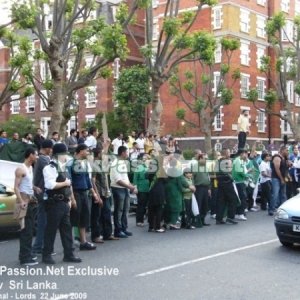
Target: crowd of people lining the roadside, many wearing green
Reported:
[(90, 190)]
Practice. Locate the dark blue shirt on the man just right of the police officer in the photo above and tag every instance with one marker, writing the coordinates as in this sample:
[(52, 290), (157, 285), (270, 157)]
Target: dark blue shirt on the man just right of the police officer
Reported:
[(79, 174)]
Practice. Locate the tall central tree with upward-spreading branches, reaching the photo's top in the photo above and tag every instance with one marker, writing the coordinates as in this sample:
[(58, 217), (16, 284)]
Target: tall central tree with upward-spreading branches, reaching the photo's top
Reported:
[(175, 44)]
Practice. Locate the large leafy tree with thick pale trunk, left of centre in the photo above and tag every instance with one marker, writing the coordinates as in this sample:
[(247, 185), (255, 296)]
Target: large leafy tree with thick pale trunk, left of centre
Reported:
[(65, 39)]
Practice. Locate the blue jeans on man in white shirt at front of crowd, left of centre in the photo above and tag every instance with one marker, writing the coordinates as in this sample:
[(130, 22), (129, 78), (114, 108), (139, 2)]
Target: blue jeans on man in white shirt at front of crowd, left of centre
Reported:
[(121, 209)]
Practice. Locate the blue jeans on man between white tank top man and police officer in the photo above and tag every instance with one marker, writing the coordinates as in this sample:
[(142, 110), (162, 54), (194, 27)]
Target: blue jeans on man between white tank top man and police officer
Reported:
[(41, 225)]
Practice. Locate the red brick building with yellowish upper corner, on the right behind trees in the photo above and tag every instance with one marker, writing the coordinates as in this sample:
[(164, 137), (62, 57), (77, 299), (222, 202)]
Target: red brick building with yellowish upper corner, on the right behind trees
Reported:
[(245, 21)]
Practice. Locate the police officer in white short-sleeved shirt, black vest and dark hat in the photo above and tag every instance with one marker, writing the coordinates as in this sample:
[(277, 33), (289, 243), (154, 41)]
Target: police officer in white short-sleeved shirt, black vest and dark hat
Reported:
[(59, 195)]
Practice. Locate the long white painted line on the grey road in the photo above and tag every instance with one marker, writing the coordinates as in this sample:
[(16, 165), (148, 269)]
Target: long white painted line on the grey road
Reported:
[(193, 261)]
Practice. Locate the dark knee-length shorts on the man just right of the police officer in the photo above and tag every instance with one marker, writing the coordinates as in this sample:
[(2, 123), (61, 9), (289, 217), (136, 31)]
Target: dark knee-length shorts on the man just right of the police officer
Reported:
[(80, 216)]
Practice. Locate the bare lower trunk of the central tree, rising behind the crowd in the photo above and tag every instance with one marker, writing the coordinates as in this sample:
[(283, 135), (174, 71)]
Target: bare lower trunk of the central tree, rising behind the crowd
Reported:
[(157, 108)]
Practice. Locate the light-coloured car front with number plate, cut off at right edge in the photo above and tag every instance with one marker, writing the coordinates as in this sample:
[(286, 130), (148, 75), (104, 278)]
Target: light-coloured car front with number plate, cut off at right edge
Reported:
[(287, 221)]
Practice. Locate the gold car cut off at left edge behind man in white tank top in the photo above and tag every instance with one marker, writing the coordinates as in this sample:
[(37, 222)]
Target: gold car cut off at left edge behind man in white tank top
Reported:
[(7, 202)]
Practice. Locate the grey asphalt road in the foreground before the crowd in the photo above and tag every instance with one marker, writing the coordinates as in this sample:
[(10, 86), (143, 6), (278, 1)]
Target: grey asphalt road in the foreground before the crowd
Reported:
[(239, 262)]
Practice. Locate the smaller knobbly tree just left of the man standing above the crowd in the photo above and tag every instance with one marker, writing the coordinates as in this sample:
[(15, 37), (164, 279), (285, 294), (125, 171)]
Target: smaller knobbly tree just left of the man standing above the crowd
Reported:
[(204, 95)]
